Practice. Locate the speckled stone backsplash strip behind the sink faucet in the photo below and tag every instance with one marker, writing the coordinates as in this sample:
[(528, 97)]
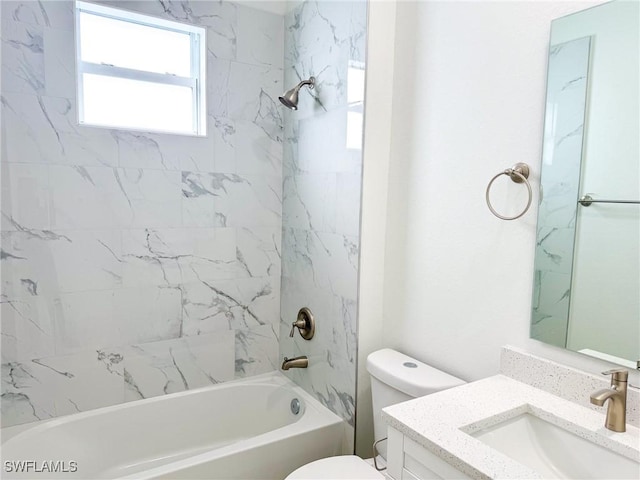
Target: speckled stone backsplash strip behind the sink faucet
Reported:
[(564, 382)]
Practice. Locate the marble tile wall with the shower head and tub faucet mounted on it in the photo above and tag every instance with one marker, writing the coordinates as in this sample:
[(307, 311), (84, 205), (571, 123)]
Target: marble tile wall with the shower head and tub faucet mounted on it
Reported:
[(321, 202)]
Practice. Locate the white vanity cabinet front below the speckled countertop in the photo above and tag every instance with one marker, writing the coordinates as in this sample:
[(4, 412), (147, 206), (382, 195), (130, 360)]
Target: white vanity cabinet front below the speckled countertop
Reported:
[(406, 460)]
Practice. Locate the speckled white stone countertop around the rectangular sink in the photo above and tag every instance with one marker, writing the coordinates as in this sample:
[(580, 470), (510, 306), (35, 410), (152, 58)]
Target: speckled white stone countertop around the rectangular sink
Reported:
[(442, 424)]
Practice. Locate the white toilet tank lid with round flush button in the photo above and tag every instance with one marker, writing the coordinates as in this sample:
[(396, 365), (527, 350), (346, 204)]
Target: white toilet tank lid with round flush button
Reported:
[(407, 374)]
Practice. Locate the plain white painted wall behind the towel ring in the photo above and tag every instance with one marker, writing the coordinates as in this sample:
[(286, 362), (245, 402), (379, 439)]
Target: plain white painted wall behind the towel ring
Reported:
[(468, 95)]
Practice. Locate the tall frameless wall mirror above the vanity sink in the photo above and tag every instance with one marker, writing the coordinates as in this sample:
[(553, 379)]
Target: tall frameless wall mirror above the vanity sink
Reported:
[(587, 283)]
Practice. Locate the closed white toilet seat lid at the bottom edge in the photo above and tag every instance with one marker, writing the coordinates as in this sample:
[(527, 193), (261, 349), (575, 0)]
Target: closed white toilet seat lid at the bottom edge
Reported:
[(347, 467)]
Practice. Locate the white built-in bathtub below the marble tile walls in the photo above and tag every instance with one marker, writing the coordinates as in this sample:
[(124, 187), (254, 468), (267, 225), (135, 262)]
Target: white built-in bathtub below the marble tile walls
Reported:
[(236, 430)]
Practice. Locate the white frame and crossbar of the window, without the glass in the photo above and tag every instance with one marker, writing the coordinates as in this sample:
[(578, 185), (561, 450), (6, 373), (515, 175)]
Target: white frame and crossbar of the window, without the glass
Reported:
[(196, 81)]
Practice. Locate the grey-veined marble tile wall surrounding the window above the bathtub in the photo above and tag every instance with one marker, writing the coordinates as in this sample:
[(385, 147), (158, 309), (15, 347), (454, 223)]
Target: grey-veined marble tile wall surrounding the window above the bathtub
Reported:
[(137, 264)]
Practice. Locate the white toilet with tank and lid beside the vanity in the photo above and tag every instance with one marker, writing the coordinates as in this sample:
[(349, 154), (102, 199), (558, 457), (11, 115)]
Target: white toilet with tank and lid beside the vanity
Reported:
[(395, 378)]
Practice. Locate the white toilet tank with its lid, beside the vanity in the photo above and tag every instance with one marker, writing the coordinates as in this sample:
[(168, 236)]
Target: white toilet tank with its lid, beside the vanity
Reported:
[(396, 378)]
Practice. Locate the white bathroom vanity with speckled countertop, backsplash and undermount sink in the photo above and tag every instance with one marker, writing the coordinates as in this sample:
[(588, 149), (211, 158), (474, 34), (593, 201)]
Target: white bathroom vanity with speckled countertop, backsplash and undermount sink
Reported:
[(533, 420)]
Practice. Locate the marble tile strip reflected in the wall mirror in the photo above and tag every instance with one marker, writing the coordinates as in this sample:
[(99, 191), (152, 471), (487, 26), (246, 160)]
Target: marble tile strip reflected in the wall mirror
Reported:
[(561, 159)]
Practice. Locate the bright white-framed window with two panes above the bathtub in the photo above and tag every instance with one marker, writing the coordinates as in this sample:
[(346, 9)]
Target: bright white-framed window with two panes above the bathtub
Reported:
[(139, 72)]
